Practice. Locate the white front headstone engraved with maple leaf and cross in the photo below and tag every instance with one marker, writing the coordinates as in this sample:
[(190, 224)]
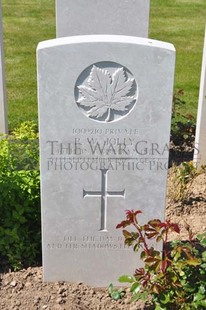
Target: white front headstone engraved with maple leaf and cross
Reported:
[(104, 114)]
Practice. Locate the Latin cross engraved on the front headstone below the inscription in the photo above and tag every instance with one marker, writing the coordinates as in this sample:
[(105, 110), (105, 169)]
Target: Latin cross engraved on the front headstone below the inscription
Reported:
[(103, 194)]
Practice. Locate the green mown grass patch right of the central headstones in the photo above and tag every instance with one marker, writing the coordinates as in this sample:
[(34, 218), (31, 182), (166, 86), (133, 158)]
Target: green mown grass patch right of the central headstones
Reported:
[(182, 22)]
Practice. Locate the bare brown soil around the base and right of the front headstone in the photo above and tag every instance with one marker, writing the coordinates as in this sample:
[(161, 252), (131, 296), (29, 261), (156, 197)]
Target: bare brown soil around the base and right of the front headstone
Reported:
[(24, 290)]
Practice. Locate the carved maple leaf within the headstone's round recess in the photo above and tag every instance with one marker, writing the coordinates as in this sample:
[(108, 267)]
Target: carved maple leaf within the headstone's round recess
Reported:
[(105, 95)]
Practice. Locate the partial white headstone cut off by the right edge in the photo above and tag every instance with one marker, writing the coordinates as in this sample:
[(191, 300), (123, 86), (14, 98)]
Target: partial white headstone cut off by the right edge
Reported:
[(200, 136)]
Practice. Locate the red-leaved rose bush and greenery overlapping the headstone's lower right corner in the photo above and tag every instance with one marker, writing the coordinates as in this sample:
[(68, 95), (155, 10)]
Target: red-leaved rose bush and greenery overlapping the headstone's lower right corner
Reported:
[(175, 278)]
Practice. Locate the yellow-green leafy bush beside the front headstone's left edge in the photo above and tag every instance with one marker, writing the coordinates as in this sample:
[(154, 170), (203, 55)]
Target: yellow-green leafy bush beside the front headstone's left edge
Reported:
[(20, 232)]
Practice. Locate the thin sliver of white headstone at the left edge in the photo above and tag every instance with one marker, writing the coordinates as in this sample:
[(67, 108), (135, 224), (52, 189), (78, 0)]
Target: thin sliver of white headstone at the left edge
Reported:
[(3, 104)]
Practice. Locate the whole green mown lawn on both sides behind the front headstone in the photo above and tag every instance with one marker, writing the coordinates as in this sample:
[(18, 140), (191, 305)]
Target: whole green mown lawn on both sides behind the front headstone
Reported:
[(27, 22)]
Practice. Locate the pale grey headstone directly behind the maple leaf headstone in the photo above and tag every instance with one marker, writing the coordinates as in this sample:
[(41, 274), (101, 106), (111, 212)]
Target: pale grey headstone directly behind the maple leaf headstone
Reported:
[(116, 17)]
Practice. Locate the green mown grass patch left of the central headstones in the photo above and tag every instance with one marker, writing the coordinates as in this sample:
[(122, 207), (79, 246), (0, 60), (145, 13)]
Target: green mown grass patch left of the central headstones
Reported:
[(25, 23)]
